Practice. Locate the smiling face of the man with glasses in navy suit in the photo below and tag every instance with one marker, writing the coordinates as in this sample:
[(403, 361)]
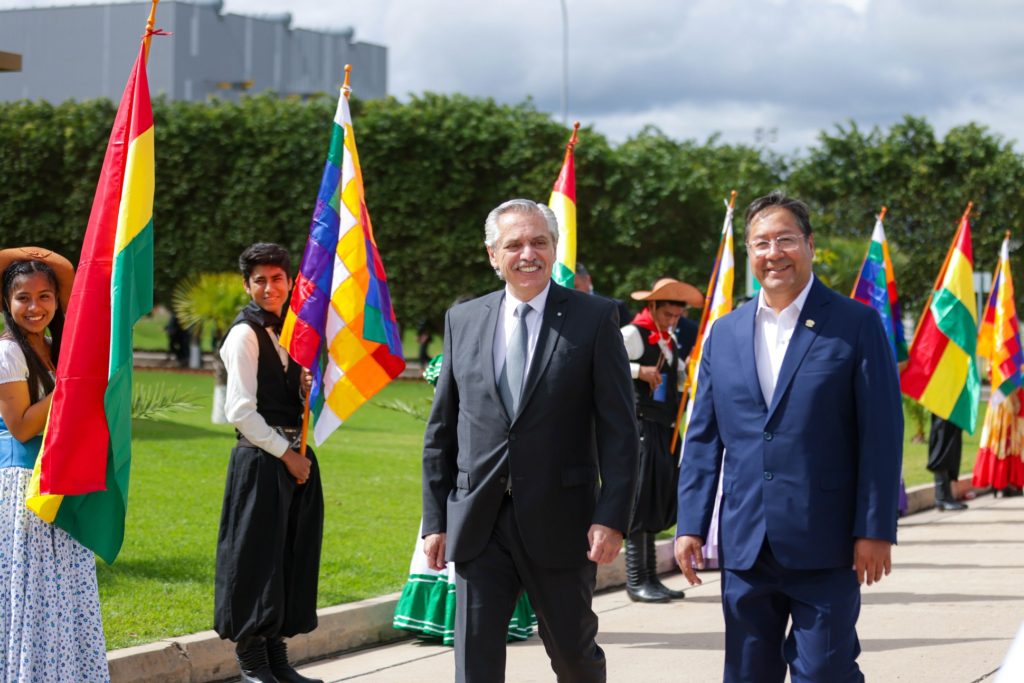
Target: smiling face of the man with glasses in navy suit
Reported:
[(783, 274)]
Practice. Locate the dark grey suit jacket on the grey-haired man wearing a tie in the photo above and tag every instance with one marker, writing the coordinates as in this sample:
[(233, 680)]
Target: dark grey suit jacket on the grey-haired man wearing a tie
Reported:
[(571, 452)]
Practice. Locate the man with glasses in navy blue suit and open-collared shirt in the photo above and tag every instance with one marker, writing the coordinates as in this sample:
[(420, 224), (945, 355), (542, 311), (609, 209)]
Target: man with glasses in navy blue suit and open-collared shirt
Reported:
[(799, 391)]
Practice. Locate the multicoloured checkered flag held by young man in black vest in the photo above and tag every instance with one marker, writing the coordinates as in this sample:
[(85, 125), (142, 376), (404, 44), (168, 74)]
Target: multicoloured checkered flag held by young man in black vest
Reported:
[(340, 323)]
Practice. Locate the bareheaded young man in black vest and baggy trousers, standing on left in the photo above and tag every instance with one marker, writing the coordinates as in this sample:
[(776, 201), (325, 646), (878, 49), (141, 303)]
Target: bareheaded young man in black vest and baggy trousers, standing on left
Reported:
[(272, 525)]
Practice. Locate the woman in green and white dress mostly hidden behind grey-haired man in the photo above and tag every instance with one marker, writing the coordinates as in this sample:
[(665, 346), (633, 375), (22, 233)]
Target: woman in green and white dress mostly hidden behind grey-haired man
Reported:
[(428, 604)]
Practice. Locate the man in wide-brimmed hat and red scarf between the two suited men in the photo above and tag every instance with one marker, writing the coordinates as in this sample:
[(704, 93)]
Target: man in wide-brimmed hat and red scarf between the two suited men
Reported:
[(659, 369)]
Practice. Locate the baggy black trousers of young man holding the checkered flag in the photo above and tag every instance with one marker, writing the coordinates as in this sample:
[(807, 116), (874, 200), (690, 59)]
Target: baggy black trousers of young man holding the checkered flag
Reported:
[(269, 548)]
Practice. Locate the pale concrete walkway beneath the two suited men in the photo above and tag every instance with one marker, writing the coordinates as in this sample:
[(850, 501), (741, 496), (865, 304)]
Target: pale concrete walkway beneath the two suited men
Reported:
[(949, 613)]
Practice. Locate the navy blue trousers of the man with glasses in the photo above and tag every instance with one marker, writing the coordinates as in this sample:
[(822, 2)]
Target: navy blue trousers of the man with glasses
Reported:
[(823, 605)]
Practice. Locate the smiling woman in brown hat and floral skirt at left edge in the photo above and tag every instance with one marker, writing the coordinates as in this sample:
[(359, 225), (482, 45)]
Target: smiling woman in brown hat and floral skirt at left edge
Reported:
[(51, 629)]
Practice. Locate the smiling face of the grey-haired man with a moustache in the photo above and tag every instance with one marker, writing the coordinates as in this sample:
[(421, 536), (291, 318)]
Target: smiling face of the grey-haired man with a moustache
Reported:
[(524, 253)]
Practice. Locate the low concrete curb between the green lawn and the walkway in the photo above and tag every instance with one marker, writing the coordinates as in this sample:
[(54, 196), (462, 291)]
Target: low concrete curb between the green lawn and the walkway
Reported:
[(204, 658)]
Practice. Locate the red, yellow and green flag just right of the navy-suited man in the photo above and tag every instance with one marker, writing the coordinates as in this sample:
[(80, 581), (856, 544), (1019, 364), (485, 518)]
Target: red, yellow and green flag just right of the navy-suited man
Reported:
[(942, 373)]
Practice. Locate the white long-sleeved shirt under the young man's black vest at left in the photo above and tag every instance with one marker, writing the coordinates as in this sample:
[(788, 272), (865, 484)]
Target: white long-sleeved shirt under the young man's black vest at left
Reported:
[(241, 356)]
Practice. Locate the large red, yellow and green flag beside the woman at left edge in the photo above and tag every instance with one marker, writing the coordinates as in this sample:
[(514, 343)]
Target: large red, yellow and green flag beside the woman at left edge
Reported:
[(81, 479)]
